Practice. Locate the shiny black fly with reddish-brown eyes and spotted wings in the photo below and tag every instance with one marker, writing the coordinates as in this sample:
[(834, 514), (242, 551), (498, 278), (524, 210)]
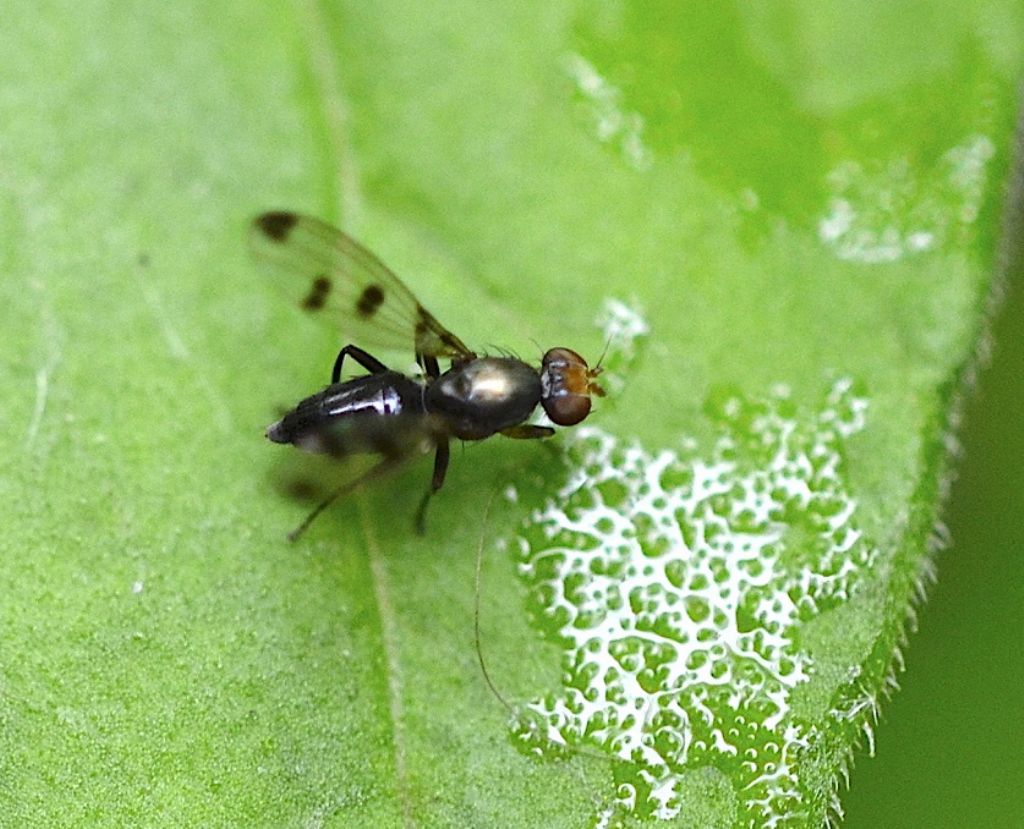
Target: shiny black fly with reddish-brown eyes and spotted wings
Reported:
[(388, 413)]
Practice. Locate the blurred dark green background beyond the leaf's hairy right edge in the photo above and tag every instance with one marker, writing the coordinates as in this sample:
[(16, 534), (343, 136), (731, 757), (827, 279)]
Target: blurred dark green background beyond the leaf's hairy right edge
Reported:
[(950, 745)]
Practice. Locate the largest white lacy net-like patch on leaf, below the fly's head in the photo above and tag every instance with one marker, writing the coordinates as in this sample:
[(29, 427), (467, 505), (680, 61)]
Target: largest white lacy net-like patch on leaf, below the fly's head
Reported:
[(677, 585)]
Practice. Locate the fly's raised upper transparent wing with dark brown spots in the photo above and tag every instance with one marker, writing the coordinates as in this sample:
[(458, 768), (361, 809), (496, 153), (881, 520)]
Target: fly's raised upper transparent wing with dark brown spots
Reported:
[(332, 277)]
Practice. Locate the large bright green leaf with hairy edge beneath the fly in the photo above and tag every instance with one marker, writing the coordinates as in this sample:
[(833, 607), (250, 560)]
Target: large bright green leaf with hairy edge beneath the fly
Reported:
[(783, 219)]
